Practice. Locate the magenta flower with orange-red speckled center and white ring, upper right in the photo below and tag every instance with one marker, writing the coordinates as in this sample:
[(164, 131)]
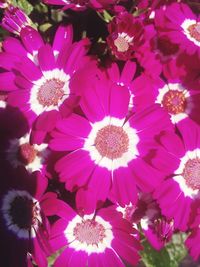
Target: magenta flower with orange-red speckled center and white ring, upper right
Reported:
[(179, 99)]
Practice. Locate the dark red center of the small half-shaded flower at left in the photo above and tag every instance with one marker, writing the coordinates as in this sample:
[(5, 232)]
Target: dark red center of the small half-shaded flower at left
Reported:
[(27, 153)]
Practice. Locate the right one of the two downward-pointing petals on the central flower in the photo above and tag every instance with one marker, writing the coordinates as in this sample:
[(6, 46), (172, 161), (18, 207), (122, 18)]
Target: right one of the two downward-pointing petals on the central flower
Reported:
[(123, 189)]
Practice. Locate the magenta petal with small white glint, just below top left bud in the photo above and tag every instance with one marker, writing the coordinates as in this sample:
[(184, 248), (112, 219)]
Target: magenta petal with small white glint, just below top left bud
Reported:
[(31, 39)]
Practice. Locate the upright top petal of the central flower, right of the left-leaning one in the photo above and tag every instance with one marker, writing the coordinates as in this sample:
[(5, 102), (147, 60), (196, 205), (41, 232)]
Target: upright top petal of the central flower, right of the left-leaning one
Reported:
[(119, 101)]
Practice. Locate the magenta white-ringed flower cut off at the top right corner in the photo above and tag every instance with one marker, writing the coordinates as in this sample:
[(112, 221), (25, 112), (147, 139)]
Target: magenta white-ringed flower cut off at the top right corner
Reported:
[(181, 25)]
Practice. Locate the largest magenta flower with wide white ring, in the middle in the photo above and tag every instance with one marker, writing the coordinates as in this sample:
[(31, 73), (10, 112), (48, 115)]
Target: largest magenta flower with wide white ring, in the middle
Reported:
[(106, 146)]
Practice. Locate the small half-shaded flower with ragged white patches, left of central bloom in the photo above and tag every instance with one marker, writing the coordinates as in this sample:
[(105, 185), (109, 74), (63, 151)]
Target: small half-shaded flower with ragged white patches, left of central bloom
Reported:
[(32, 156)]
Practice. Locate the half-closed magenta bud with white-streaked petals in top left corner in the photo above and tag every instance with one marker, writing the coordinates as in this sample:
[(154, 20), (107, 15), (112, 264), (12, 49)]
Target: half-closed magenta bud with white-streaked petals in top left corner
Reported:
[(14, 19)]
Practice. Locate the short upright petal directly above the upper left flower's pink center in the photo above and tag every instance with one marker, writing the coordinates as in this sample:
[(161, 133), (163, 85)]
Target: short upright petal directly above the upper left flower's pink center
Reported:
[(46, 58)]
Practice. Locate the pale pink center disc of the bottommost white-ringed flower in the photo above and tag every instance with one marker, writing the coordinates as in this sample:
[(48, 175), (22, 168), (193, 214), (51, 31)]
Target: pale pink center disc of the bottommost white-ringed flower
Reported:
[(89, 232)]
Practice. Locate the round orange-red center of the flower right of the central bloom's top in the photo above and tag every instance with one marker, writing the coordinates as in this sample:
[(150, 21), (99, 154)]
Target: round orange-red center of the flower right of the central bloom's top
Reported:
[(174, 101)]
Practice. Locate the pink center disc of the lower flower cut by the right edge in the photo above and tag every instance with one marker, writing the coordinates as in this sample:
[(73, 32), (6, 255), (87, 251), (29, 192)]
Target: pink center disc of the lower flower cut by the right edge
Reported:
[(191, 173)]
